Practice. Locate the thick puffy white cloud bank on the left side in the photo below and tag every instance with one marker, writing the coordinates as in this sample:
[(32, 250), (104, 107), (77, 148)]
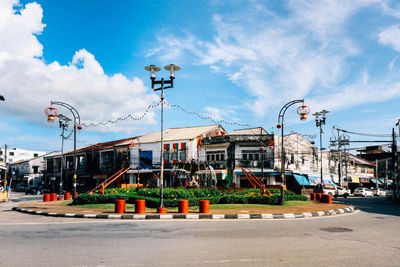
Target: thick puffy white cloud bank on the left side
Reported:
[(29, 84)]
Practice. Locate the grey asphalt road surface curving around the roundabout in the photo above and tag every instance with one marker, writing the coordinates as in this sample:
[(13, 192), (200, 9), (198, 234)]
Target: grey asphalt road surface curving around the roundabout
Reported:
[(367, 238)]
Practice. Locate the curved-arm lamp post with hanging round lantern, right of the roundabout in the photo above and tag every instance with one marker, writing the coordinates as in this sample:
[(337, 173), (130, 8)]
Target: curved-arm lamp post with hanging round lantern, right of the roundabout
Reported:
[(302, 111)]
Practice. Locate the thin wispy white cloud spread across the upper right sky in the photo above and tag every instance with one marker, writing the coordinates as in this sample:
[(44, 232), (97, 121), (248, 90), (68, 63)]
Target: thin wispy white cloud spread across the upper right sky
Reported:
[(308, 52)]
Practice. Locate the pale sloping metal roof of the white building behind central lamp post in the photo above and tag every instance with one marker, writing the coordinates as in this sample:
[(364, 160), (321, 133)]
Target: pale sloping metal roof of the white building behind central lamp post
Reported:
[(174, 134)]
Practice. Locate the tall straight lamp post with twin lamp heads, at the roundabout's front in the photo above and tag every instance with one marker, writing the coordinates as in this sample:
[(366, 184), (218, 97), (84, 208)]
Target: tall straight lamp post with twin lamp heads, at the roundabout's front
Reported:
[(153, 69)]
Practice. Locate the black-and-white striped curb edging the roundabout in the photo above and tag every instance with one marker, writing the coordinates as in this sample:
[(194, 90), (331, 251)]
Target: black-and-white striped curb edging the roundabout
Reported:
[(350, 209)]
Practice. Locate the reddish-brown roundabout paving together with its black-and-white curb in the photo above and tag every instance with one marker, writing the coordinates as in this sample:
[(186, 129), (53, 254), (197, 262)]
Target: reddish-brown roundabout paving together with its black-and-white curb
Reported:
[(316, 209)]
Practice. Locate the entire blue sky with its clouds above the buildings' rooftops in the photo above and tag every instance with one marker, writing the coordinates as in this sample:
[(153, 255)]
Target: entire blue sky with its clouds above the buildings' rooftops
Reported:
[(241, 62)]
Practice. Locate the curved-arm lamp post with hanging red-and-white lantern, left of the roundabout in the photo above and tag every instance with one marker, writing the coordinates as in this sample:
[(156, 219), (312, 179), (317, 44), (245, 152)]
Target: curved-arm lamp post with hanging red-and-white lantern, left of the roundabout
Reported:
[(51, 113)]
